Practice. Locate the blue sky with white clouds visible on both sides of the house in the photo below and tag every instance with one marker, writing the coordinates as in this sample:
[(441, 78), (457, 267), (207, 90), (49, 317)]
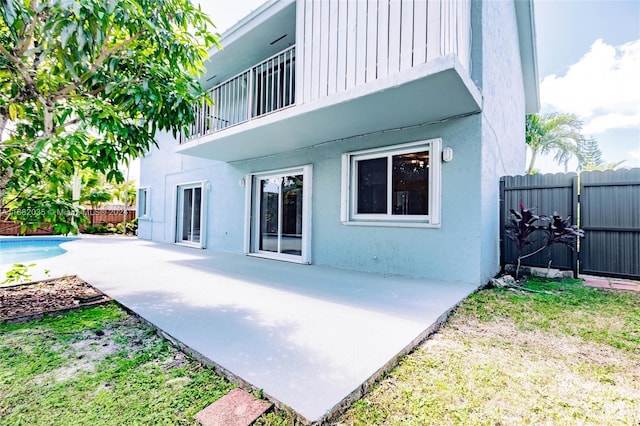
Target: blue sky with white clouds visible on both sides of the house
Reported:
[(588, 64)]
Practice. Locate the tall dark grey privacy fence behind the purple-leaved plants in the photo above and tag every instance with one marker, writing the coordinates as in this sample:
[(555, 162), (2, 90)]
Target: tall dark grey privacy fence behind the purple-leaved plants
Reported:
[(606, 205)]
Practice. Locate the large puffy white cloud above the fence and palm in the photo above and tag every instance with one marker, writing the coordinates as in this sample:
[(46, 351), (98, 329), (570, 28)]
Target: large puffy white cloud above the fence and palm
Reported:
[(602, 88)]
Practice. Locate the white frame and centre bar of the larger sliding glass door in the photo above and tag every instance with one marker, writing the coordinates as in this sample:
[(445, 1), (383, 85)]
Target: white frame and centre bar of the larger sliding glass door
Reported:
[(252, 214)]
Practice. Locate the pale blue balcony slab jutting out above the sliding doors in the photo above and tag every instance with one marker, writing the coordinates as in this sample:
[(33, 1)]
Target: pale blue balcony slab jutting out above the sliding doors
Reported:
[(434, 91)]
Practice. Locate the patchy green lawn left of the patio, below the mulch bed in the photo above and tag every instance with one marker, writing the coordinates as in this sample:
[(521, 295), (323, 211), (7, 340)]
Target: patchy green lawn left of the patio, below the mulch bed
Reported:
[(98, 366)]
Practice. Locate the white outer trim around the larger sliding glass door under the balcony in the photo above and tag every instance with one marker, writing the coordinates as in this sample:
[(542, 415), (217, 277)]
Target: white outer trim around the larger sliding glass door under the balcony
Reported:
[(251, 216)]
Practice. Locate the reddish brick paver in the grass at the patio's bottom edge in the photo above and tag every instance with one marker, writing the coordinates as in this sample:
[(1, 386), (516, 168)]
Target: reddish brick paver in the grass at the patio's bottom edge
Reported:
[(237, 408)]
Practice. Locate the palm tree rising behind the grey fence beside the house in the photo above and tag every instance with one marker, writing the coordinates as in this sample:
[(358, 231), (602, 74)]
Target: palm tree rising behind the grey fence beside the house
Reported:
[(554, 132)]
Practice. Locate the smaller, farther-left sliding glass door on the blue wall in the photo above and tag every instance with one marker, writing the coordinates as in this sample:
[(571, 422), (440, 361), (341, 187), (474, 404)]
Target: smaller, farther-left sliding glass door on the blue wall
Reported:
[(189, 220)]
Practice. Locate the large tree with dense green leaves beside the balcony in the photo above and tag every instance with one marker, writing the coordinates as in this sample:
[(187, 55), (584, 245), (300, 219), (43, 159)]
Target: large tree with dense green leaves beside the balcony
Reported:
[(85, 84)]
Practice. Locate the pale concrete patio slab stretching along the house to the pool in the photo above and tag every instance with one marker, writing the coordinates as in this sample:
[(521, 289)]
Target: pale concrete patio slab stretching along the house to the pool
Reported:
[(309, 336)]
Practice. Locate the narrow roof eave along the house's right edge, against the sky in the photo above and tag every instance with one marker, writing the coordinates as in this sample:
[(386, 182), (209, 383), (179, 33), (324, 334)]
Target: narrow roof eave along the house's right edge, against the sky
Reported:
[(528, 54)]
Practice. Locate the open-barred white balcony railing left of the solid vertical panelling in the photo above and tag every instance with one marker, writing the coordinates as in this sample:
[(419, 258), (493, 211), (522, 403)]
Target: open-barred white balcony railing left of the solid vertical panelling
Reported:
[(264, 88)]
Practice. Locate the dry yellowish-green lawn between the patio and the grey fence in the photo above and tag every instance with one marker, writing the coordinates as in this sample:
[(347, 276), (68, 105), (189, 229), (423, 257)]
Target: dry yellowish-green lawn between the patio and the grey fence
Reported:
[(569, 355)]
